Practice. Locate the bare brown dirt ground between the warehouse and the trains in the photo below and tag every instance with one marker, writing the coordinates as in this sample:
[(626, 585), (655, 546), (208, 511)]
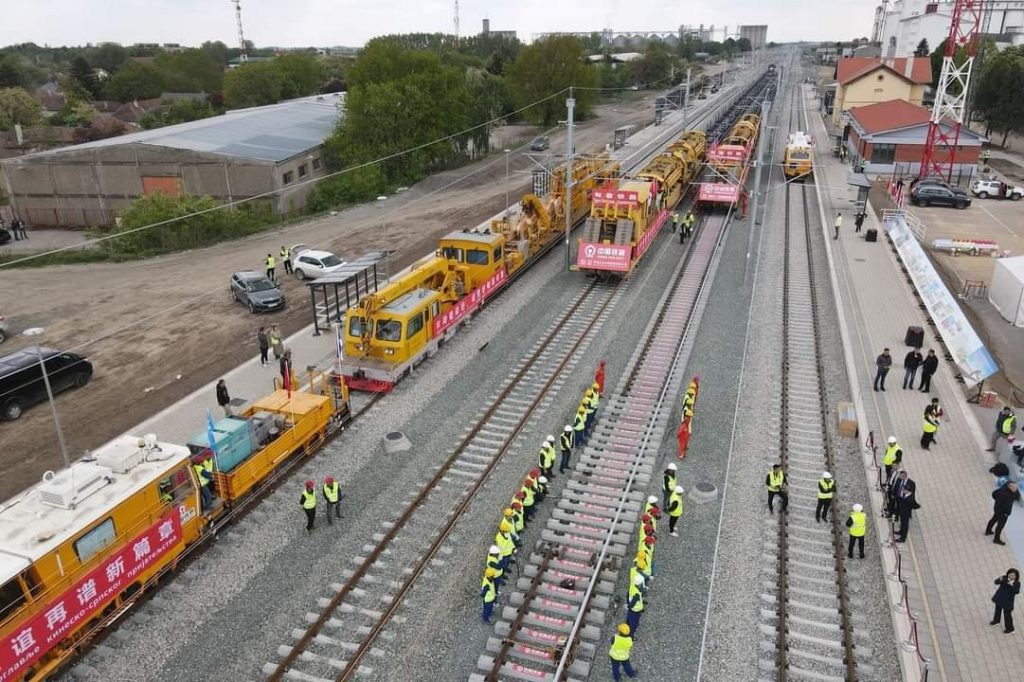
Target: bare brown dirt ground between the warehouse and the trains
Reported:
[(157, 330)]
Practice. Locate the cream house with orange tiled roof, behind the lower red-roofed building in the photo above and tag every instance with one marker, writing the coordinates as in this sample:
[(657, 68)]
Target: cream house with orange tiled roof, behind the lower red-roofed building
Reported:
[(863, 81)]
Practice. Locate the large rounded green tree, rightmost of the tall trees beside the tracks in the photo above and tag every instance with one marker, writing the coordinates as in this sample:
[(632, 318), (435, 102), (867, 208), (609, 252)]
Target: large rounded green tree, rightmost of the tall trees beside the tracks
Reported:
[(547, 68)]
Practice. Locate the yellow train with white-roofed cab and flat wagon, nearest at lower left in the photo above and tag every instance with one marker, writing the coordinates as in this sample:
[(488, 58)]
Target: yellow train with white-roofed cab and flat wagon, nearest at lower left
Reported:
[(79, 548)]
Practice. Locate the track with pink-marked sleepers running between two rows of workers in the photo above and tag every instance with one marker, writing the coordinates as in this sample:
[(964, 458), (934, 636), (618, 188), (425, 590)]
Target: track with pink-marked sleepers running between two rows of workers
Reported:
[(550, 631)]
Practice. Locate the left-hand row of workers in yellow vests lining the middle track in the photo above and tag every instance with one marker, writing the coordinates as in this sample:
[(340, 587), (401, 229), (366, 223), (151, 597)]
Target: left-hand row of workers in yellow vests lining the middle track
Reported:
[(534, 490)]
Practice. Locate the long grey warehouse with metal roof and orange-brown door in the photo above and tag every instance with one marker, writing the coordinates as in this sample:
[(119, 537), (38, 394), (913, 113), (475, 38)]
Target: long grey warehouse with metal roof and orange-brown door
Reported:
[(265, 151)]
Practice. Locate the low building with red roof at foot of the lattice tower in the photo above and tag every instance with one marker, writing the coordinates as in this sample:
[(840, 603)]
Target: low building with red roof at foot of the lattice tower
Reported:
[(891, 136)]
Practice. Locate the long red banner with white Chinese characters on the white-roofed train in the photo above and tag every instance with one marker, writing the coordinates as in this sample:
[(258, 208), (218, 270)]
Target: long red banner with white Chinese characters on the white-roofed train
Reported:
[(30, 642)]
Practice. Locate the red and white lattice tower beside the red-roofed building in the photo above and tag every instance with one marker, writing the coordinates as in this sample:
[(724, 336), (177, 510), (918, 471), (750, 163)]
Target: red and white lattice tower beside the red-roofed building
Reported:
[(952, 95)]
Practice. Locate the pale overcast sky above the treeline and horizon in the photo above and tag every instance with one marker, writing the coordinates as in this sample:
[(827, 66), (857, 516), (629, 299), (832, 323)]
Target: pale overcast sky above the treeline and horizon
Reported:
[(353, 22)]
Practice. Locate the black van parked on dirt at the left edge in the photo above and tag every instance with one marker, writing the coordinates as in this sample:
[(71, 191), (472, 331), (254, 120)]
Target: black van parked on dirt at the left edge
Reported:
[(22, 379)]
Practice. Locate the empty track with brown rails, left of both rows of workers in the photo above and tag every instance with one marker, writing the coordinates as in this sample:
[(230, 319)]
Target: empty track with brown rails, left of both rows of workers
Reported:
[(335, 643)]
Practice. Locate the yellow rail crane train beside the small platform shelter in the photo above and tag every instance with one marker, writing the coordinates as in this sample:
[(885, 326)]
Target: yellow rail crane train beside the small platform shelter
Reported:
[(395, 329)]
